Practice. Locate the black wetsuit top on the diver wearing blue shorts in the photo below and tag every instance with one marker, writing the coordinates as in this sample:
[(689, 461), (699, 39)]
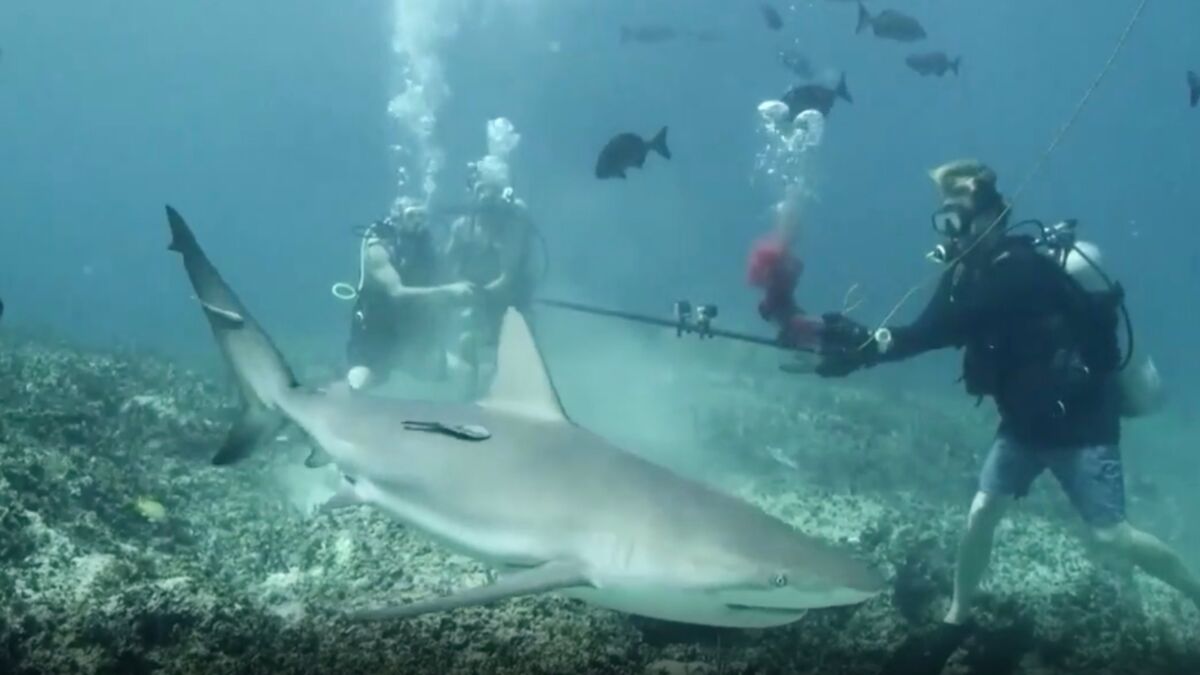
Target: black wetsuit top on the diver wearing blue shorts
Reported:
[(1035, 341)]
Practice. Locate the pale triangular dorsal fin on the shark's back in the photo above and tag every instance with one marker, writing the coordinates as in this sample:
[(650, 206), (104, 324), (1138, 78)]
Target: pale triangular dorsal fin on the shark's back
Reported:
[(523, 385)]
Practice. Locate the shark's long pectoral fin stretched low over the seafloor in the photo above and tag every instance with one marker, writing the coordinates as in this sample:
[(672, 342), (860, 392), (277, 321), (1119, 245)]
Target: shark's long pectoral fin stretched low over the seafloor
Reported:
[(550, 577)]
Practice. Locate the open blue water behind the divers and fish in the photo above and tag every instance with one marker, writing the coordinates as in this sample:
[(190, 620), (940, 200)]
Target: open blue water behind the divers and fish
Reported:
[(267, 124)]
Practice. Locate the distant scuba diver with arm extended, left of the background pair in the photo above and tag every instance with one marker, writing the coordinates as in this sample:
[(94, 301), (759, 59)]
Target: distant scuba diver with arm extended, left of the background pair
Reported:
[(400, 312)]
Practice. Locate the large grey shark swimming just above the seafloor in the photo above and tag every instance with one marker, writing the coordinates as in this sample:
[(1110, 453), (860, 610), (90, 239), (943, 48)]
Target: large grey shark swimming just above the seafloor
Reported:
[(511, 481)]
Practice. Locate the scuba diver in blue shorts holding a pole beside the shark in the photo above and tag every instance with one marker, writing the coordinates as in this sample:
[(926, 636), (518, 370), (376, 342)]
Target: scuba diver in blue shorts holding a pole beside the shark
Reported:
[(1046, 349)]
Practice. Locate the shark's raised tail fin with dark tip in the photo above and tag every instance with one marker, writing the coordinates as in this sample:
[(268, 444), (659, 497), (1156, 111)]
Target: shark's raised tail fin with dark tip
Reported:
[(263, 378)]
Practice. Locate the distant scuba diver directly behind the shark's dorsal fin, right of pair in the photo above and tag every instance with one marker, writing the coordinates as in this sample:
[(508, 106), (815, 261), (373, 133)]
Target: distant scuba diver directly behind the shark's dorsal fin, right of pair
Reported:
[(489, 248)]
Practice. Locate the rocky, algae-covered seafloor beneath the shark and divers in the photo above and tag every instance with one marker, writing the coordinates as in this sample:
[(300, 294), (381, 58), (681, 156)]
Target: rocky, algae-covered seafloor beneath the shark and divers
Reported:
[(124, 552)]
